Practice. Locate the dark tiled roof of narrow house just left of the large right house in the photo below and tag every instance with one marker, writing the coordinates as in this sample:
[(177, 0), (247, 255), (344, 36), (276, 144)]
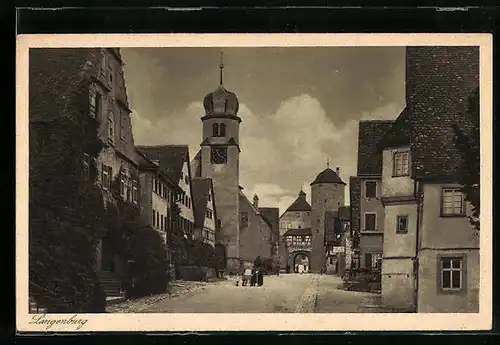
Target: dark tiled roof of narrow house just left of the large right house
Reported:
[(369, 156)]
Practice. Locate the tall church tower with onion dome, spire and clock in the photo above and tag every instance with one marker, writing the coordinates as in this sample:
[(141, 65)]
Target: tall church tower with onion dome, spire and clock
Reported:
[(220, 154)]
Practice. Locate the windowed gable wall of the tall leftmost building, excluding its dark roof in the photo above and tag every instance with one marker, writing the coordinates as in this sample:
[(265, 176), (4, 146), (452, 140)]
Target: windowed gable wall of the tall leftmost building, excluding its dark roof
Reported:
[(117, 162)]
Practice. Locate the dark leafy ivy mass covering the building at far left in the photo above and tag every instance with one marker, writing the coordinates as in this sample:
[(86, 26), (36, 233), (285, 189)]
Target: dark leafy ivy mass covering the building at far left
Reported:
[(66, 209)]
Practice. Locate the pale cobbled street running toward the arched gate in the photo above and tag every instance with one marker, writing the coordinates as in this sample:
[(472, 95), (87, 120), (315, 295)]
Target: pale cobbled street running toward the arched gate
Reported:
[(287, 293)]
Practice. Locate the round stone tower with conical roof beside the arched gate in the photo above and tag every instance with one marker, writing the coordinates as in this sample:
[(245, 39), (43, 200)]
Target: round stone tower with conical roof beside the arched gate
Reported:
[(327, 194)]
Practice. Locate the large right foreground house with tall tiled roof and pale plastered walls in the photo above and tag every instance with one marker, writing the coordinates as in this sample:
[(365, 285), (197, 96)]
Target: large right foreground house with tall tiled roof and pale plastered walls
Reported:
[(431, 252)]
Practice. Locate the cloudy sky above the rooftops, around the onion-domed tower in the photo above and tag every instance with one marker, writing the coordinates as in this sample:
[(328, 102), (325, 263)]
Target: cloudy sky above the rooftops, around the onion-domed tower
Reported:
[(299, 106)]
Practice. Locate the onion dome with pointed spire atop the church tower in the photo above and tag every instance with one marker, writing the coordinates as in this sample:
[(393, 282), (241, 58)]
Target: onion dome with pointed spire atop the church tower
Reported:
[(221, 101)]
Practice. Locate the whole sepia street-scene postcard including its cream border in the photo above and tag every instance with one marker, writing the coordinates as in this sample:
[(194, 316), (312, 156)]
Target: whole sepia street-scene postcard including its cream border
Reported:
[(237, 179)]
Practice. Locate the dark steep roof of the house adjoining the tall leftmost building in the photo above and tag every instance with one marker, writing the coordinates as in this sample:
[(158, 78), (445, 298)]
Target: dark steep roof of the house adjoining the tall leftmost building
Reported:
[(171, 158)]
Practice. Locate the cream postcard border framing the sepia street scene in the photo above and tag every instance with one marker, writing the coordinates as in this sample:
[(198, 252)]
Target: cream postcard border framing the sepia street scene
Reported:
[(251, 322)]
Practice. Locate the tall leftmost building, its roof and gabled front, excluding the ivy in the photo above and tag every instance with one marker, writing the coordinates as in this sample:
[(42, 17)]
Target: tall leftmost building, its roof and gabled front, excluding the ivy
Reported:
[(66, 83)]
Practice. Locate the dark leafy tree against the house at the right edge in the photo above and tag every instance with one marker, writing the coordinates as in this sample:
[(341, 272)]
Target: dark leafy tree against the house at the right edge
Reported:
[(467, 142)]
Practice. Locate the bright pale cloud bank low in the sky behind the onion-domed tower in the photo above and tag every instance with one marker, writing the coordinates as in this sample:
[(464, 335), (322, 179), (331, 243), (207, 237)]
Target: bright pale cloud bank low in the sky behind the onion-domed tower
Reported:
[(281, 152)]
